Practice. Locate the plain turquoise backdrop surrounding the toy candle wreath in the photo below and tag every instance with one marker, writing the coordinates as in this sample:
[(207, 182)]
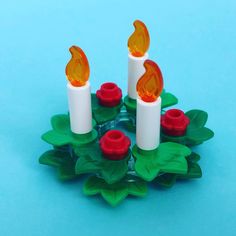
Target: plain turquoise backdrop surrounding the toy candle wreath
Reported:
[(194, 43)]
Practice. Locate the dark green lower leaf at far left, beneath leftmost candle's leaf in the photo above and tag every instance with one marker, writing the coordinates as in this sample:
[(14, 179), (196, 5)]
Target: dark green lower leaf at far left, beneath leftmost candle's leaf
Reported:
[(62, 161)]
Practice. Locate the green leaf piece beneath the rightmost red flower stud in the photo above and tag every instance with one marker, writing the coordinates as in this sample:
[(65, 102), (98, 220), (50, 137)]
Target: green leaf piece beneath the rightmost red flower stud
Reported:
[(196, 132)]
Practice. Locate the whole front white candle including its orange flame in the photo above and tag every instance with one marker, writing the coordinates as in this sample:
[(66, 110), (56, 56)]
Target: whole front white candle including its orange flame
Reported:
[(148, 114)]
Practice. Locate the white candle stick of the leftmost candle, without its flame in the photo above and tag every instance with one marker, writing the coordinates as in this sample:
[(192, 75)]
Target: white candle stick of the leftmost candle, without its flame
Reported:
[(80, 110)]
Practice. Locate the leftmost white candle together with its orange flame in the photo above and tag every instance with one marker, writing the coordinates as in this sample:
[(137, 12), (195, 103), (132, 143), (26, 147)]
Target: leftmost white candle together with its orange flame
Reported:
[(79, 92)]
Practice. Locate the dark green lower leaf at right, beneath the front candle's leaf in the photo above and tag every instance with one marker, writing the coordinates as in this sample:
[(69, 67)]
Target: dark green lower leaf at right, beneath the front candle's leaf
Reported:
[(194, 171)]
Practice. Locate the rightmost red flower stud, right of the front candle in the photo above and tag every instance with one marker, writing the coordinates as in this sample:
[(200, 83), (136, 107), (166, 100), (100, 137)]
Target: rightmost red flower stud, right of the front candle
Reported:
[(174, 122)]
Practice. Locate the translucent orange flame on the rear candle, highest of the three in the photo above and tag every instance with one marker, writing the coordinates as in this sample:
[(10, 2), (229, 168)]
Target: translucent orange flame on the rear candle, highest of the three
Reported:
[(139, 41)]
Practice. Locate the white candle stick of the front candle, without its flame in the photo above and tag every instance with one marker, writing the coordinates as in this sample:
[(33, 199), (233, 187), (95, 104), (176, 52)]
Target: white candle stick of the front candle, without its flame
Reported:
[(148, 124)]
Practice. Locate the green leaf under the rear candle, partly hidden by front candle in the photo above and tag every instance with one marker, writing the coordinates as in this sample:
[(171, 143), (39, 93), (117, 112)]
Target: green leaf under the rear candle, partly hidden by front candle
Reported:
[(167, 100)]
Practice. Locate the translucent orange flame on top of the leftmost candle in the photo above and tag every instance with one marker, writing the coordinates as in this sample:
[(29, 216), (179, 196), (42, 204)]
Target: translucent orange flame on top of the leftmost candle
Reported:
[(77, 69)]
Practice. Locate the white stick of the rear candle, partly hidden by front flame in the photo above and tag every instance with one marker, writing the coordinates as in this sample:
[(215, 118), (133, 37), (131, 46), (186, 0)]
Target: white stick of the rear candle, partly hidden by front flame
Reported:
[(135, 71)]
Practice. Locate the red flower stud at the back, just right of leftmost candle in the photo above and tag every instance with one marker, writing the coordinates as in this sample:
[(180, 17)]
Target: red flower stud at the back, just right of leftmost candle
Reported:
[(109, 94)]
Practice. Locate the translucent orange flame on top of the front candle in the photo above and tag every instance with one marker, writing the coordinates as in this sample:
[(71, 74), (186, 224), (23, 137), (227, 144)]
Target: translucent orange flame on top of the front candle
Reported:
[(150, 85)]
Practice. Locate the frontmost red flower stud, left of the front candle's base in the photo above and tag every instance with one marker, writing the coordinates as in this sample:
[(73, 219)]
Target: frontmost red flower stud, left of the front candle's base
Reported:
[(115, 145)]
